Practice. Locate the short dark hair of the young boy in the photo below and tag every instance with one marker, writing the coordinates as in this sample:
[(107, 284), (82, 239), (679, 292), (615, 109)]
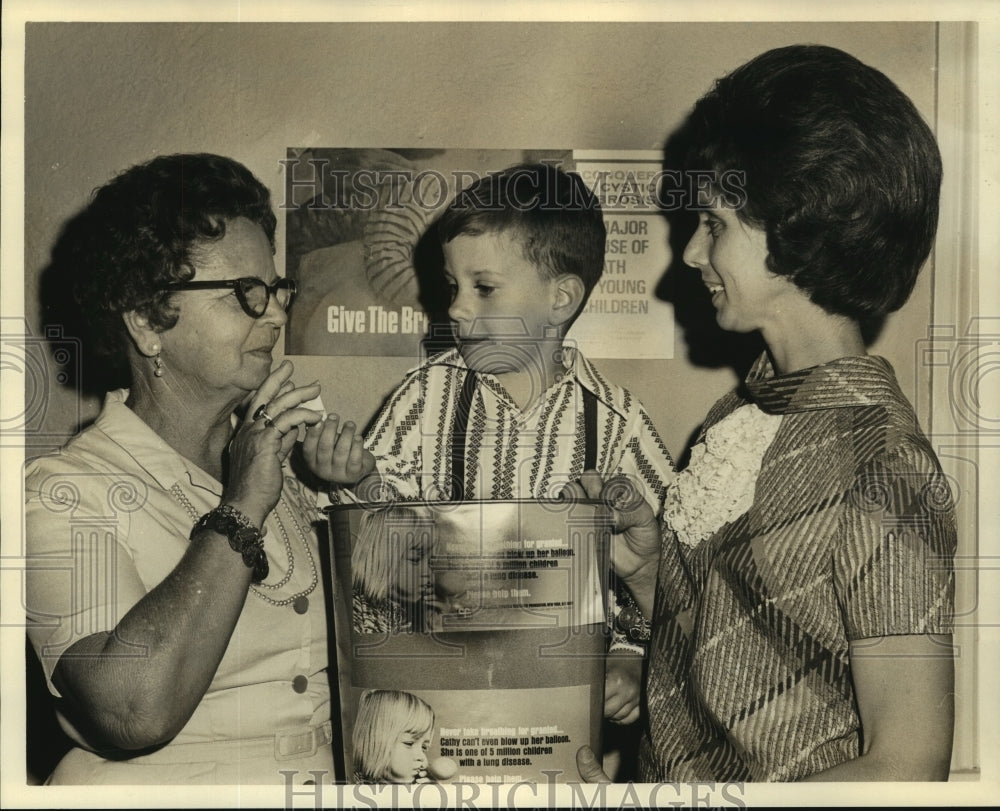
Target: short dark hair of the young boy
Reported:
[(553, 214)]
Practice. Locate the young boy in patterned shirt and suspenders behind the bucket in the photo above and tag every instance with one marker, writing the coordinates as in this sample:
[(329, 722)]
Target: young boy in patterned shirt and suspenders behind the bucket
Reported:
[(515, 411)]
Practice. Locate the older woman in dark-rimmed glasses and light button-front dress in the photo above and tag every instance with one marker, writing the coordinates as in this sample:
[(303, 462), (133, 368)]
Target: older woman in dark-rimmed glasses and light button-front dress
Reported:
[(181, 625)]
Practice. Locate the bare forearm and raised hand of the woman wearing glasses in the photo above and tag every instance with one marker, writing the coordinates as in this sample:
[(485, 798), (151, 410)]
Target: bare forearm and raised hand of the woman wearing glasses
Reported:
[(184, 624)]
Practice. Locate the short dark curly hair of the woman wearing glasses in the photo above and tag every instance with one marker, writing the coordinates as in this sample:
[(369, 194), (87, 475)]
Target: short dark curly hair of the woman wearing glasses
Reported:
[(142, 230)]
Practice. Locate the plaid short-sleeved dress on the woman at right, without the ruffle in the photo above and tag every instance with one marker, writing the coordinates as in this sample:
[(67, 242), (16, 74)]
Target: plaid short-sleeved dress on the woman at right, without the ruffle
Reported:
[(851, 535)]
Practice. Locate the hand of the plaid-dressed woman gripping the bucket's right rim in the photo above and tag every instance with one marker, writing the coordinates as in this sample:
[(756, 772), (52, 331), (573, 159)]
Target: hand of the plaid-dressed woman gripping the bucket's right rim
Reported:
[(637, 557)]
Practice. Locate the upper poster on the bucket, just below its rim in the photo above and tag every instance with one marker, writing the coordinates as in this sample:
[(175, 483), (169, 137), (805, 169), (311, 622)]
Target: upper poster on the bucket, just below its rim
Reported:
[(472, 568)]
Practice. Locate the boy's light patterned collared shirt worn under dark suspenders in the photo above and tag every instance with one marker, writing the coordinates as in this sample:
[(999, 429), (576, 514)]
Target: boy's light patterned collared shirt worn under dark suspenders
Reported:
[(510, 453)]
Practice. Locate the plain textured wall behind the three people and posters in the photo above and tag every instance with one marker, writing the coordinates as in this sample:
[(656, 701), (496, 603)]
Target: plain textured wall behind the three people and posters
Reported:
[(101, 97)]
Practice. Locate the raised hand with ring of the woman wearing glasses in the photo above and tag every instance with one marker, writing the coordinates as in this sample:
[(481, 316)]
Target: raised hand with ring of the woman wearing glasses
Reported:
[(260, 444)]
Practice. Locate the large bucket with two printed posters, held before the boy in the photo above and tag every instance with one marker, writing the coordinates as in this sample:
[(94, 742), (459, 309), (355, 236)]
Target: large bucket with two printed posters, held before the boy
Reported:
[(492, 614)]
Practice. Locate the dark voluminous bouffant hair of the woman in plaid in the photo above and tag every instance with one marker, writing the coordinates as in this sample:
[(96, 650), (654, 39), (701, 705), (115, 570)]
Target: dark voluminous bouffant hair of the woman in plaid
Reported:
[(838, 168)]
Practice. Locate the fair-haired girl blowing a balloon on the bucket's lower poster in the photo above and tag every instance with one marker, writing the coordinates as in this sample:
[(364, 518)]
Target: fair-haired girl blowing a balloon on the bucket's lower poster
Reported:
[(392, 736)]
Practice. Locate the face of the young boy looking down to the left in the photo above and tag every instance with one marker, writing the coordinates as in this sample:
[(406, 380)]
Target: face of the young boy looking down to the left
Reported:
[(502, 305)]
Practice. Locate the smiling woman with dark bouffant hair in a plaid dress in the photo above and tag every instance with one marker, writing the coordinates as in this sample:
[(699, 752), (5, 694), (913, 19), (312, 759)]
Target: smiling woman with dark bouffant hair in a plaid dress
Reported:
[(801, 590)]
